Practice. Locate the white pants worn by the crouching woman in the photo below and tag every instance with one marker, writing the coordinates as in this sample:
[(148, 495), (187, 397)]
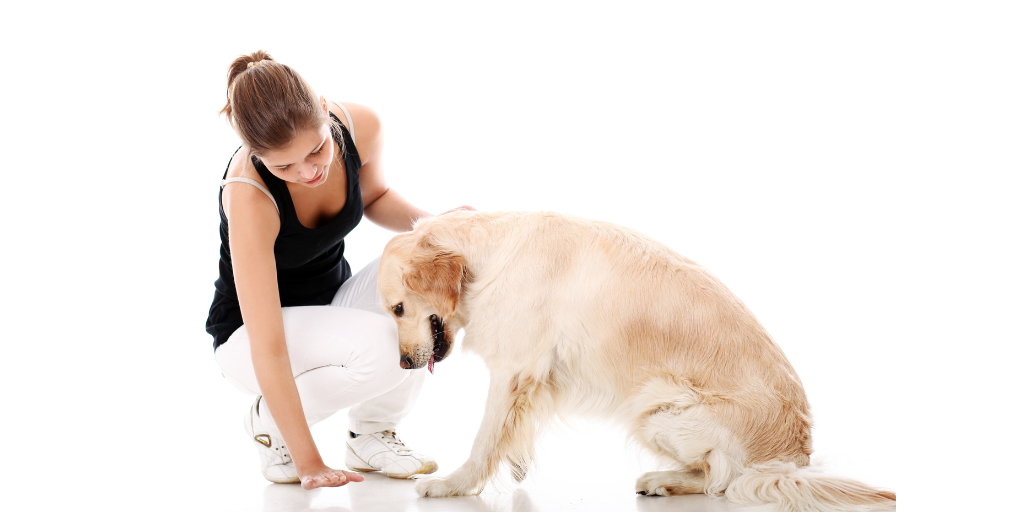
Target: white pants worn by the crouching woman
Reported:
[(344, 356)]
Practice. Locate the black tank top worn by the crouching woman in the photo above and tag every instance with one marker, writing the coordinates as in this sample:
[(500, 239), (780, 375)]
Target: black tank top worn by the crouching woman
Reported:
[(312, 264)]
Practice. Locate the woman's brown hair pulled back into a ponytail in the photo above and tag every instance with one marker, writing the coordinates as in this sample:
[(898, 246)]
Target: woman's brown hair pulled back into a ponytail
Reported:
[(269, 104)]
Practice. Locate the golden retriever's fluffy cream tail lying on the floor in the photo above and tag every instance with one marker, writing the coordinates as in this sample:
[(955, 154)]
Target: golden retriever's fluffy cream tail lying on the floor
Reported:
[(786, 488)]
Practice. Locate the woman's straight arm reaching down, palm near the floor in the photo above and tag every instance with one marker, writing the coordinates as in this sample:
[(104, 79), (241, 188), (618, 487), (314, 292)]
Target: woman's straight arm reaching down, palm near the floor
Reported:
[(253, 225)]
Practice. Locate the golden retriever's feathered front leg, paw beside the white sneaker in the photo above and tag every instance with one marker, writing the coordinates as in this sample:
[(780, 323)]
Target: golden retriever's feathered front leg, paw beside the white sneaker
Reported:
[(507, 432)]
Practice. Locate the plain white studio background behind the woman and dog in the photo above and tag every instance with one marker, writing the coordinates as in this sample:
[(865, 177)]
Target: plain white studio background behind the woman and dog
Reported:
[(852, 173)]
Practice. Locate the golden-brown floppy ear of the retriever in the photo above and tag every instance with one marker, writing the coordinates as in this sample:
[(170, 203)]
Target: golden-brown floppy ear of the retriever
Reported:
[(438, 276)]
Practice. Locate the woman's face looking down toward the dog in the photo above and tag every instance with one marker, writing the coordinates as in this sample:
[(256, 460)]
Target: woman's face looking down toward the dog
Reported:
[(307, 160)]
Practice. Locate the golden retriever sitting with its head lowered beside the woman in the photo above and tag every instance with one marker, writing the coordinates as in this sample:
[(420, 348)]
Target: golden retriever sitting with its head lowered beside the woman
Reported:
[(579, 317)]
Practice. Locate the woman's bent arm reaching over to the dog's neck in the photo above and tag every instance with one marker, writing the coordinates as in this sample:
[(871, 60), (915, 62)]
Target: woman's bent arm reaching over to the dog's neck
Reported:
[(381, 204)]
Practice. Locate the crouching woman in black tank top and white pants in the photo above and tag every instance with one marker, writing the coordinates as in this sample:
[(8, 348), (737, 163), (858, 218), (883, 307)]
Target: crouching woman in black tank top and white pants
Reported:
[(290, 322)]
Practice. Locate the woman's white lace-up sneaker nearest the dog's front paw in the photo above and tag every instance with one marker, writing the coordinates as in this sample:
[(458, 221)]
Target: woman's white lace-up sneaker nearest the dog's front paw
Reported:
[(386, 453)]
